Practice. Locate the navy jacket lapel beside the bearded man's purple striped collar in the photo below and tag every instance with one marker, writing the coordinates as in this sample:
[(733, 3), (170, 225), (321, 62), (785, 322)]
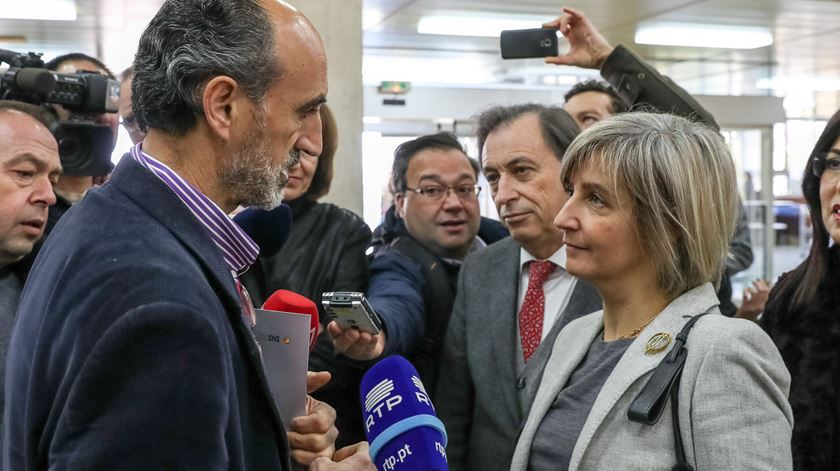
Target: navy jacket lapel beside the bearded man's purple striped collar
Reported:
[(164, 205)]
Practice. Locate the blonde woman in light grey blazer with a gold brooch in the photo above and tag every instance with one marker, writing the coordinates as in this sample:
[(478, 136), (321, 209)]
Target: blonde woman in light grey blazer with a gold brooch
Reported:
[(651, 210)]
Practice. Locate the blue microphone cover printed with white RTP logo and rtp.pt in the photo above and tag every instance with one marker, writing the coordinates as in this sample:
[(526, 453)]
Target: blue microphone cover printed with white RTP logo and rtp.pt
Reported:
[(400, 421)]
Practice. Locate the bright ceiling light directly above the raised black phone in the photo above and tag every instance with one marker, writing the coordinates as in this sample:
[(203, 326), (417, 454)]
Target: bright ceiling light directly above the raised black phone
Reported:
[(472, 25)]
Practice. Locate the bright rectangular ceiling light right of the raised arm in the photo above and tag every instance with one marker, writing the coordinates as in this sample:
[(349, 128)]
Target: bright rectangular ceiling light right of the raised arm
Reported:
[(703, 35)]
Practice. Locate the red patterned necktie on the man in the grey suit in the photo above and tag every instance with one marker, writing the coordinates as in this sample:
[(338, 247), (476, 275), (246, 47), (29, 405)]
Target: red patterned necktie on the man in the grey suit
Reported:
[(533, 309)]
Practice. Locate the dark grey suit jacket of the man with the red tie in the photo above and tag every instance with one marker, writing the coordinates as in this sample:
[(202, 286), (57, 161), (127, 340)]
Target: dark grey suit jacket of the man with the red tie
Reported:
[(483, 391)]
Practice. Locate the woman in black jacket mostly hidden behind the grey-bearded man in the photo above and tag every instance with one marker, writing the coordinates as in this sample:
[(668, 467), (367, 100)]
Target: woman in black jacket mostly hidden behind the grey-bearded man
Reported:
[(325, 252)]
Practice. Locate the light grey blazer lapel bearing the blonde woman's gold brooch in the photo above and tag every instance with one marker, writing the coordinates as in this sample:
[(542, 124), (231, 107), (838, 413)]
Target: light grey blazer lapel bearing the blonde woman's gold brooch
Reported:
[(635, 363)]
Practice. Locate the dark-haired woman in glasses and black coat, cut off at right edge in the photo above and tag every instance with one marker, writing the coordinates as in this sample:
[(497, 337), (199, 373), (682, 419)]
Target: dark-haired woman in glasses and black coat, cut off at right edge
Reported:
[(802, 314)]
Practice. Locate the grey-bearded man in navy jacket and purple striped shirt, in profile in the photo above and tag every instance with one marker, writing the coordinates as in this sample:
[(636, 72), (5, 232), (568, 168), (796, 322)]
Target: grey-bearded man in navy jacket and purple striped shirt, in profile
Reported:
[(134, 349)]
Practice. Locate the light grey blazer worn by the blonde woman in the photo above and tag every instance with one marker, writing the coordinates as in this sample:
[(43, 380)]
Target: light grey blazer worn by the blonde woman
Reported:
[(734, 413)]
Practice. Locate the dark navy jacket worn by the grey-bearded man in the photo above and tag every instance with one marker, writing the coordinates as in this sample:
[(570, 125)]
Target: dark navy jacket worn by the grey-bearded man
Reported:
[(130, 351)]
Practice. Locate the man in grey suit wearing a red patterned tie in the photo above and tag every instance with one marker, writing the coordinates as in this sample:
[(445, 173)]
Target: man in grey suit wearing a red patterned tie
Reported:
[(512, 297)]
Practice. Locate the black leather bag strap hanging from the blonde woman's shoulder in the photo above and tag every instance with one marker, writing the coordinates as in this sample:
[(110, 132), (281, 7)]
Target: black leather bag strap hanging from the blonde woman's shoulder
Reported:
[(648, 405)]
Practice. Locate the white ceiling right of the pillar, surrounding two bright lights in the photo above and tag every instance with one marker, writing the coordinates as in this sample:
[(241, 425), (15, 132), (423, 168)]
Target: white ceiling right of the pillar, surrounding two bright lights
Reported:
[(804, 34)]
